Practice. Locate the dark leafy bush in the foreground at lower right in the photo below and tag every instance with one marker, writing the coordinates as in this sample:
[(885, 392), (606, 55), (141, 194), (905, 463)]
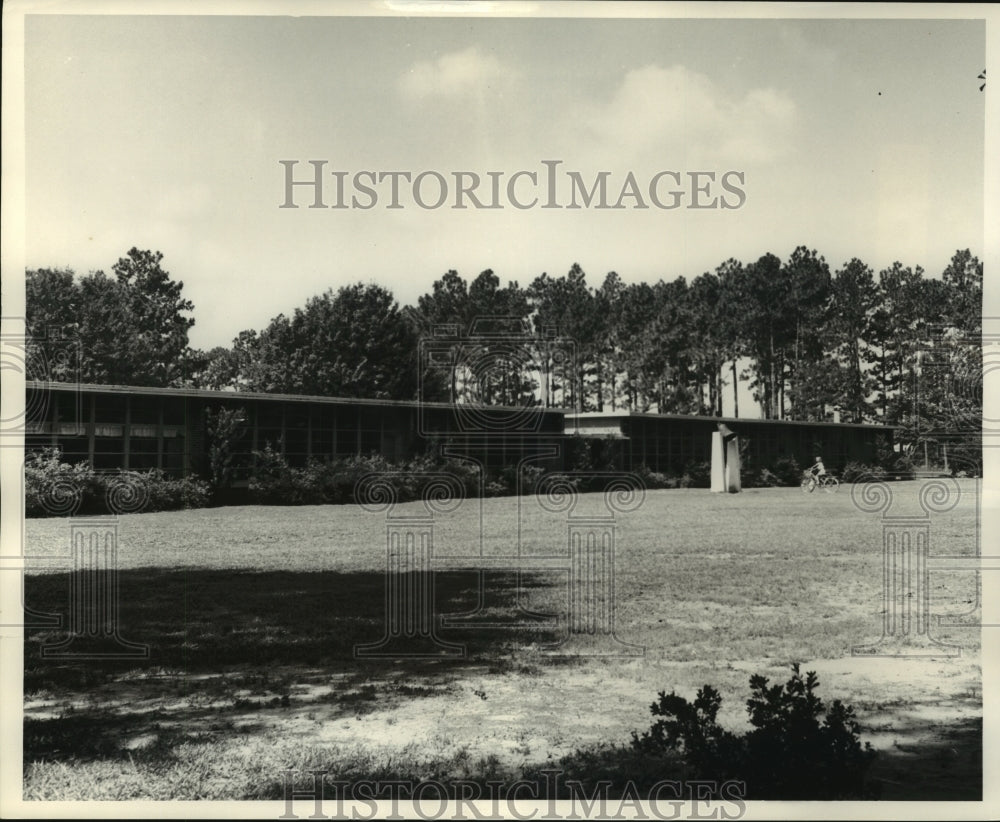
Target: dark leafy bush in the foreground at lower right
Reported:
[(789, 754)]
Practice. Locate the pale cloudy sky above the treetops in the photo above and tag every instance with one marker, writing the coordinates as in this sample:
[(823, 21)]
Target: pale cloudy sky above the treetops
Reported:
[(856, 138)]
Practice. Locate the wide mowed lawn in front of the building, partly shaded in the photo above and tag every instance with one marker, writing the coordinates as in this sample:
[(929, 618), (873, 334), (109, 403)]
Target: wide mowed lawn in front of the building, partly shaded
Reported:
[(252, 615)]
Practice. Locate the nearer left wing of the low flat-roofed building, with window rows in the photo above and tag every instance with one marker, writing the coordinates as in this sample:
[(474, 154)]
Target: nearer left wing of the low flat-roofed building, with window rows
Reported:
[(137, 428)]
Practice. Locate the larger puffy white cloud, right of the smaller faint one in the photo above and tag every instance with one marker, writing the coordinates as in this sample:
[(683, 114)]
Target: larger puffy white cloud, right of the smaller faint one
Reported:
[(676, 112)]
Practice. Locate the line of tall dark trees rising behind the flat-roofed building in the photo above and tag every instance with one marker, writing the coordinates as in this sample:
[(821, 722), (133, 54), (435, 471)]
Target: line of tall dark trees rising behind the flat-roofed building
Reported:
[(896, 347)]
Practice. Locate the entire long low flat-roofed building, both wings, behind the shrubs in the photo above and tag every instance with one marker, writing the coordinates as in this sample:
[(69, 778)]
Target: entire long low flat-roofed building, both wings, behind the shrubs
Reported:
[(135, 428)]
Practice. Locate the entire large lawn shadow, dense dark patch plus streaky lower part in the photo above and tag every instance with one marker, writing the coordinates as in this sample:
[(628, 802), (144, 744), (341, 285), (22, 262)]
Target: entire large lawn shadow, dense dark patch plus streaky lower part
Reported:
[(225, 646)]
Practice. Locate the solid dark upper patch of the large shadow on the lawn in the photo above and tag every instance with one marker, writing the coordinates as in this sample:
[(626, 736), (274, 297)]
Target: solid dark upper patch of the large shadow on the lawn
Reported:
[(202, 620)]
